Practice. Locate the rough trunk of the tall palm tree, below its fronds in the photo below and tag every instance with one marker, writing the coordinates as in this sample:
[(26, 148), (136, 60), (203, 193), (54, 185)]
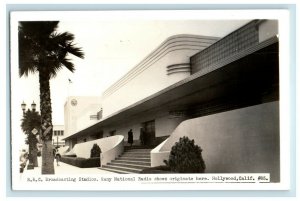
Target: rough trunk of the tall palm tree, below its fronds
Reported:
[(46, 121)]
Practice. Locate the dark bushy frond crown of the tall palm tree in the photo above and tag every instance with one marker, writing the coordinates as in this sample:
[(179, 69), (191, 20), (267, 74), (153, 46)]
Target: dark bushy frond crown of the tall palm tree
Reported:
[(42, 49)]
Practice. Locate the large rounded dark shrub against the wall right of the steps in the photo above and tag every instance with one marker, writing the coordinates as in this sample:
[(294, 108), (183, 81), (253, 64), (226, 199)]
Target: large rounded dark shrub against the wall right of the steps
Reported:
[(186, 157)]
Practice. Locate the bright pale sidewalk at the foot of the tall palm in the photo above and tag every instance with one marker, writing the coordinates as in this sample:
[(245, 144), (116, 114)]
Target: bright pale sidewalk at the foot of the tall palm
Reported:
[(62, 169)]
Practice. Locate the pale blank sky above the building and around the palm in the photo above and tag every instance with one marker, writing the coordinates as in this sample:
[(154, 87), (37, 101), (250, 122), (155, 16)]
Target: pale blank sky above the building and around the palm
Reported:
[(112, 46)]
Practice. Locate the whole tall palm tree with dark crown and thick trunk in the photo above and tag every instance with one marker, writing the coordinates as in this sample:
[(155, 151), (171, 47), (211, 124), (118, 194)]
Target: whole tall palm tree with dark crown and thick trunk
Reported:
[(43, 50)]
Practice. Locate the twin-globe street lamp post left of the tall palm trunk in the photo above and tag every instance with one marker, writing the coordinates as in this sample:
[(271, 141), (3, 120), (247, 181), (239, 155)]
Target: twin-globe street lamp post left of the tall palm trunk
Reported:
[(32, 151)]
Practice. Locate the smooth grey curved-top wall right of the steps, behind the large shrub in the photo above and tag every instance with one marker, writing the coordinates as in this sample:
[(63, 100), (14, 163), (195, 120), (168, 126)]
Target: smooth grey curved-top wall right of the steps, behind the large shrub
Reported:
[(239, 141)]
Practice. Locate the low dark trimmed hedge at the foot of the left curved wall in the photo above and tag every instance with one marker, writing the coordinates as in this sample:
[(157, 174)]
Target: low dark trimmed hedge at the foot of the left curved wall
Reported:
[(81, 162)]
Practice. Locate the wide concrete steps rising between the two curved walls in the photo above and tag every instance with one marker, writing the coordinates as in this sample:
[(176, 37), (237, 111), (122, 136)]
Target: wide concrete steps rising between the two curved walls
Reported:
[(132, 161)]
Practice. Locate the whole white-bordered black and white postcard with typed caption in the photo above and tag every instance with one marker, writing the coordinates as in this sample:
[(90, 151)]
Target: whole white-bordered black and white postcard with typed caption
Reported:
[(139, 100)]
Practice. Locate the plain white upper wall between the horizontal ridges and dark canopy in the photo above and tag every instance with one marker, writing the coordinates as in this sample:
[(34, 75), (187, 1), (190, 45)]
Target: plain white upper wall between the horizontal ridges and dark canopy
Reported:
[(148, 82)]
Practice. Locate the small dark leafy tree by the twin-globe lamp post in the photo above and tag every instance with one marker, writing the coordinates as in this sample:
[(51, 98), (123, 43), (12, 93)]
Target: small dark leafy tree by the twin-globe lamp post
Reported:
[(31, 120)]
